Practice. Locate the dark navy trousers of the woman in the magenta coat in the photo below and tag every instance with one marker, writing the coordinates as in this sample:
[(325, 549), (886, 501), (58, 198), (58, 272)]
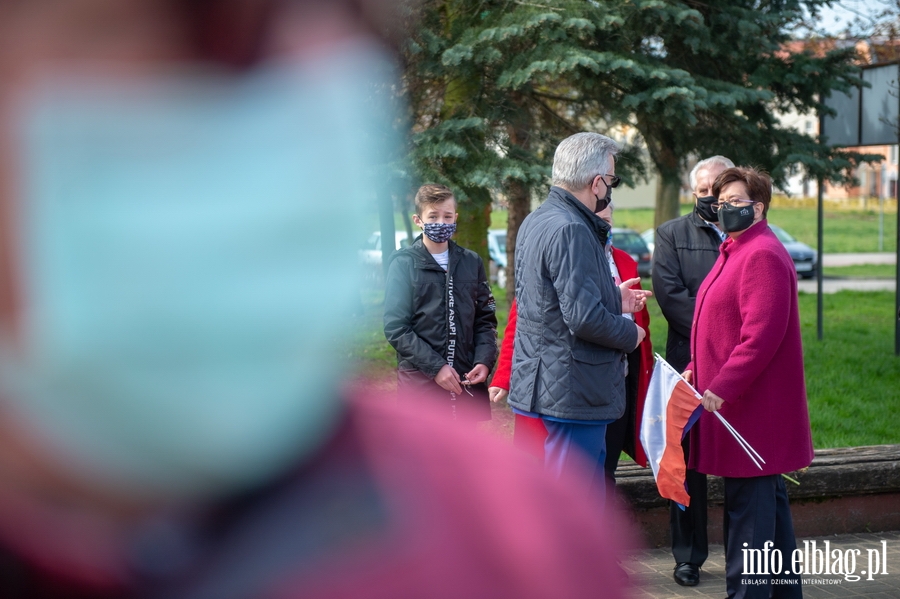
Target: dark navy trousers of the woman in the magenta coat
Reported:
[(756, 511)]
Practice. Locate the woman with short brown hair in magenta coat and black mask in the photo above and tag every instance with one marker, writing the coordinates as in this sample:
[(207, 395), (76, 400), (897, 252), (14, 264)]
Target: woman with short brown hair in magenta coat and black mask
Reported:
[(747, 359)]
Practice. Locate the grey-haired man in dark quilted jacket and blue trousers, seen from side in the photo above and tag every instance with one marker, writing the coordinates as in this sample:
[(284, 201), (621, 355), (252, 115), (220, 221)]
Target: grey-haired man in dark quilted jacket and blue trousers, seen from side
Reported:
[(569, 359)]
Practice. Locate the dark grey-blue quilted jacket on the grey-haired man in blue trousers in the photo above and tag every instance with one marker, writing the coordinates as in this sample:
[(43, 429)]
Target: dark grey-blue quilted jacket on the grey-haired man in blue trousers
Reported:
[(571, 338)]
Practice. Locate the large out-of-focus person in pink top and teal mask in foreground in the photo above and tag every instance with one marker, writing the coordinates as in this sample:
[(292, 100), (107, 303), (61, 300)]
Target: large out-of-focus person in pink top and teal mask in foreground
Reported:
[(172, 332)]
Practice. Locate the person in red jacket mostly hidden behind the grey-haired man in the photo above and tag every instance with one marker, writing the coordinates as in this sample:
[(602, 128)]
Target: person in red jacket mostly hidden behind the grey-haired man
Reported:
[(529, 433)]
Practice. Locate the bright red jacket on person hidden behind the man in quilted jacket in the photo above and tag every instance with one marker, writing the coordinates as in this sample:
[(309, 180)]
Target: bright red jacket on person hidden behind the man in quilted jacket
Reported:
[(627, 270)]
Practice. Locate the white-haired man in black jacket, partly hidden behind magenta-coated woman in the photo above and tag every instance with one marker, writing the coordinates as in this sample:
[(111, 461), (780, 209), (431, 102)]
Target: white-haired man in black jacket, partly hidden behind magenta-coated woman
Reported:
[(685, 251)]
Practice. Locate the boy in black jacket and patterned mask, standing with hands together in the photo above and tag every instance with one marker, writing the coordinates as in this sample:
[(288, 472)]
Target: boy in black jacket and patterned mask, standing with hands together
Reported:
[(439, 314)]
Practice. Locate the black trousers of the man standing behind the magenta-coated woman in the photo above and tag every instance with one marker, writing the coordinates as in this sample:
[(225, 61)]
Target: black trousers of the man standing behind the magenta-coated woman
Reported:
[(688, 526)]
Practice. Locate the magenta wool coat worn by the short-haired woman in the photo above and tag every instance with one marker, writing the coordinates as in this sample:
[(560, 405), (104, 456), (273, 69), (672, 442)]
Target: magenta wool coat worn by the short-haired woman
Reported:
[(745, 348)]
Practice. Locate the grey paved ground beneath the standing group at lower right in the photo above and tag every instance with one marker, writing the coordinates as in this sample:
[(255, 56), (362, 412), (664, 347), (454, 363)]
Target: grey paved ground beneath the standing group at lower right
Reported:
[(651, 571)]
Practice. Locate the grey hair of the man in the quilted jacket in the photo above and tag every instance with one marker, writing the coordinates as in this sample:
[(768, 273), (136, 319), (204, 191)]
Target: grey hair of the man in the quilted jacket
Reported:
[(581, 157)]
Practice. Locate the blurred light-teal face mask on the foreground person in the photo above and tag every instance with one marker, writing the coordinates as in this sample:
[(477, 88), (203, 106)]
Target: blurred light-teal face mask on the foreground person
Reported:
[(185, 297)]
